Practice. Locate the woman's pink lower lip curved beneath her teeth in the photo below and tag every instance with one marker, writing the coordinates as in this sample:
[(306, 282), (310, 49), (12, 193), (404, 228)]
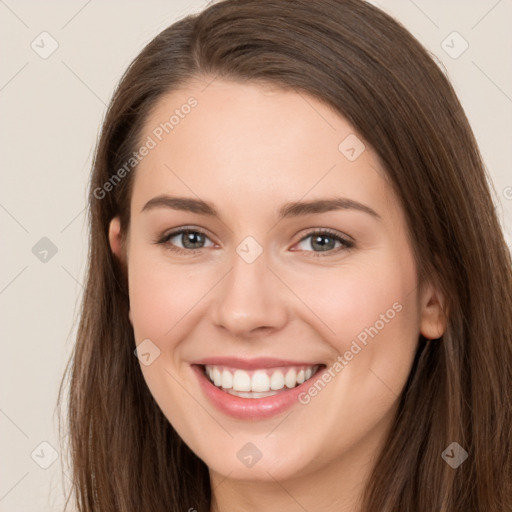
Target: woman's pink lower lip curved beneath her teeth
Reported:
[(250, 408)]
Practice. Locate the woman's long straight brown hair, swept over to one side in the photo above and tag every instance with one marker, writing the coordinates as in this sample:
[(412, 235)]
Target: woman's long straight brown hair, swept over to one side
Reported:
[(125, 456)]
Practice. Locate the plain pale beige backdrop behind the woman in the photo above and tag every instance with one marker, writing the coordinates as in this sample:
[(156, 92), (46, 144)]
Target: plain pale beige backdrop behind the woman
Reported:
[(51, 110)]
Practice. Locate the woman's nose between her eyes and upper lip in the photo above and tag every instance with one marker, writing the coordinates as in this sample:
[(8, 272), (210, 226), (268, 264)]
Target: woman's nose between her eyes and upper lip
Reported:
[(251, 299)]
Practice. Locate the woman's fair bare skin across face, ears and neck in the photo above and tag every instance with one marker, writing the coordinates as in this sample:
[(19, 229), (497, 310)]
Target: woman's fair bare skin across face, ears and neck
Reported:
[(249, 148)]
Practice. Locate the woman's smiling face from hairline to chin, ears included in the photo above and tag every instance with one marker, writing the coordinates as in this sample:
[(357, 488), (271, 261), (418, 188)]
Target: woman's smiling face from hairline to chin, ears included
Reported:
[(298, 297)]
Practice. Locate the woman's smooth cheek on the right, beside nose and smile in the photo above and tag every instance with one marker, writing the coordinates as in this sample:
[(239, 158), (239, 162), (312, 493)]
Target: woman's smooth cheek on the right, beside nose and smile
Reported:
[(369, 315)]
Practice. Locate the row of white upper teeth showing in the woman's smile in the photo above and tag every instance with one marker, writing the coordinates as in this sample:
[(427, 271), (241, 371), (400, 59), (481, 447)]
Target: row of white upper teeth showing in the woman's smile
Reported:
[(258, 383)]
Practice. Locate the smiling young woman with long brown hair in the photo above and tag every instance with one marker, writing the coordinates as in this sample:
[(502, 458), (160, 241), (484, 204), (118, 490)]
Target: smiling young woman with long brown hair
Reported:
[(298, 296)]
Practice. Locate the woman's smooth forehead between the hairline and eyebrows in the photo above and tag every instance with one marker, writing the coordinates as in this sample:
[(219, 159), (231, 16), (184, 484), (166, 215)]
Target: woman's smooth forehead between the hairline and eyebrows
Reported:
[(254, 144)]
